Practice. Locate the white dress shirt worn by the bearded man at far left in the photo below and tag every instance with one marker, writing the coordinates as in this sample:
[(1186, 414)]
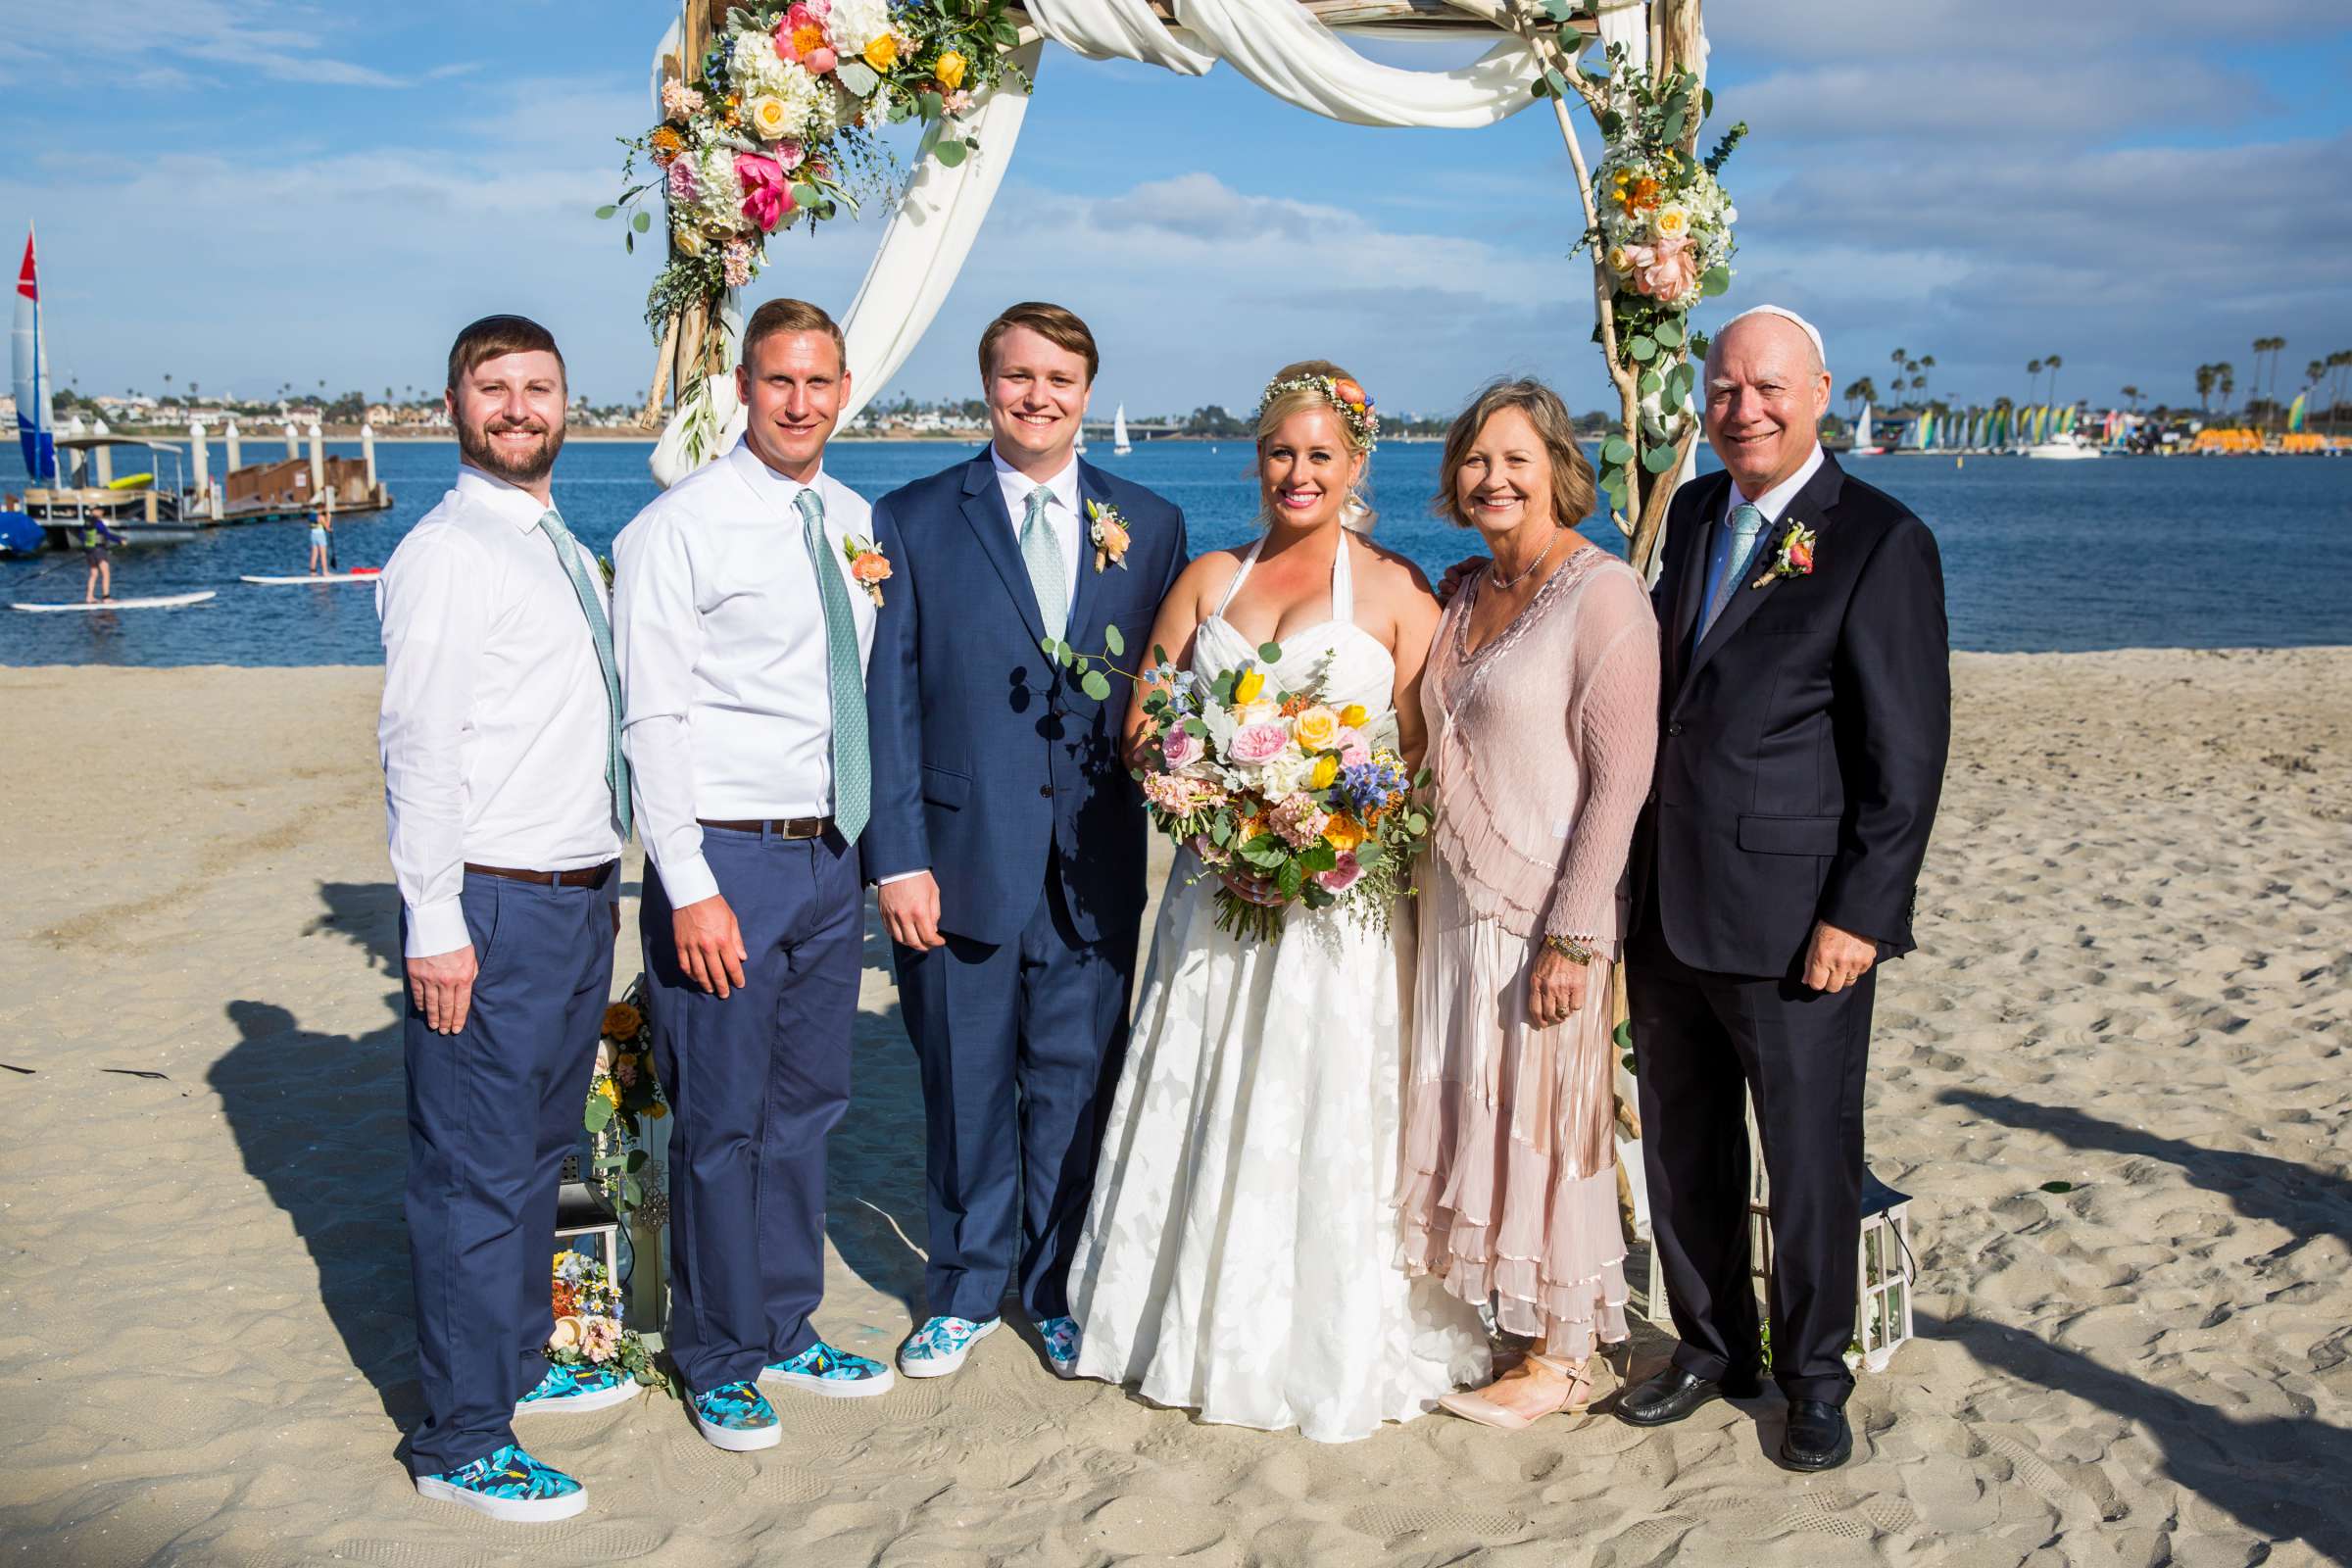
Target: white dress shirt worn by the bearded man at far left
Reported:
[(495, 718)]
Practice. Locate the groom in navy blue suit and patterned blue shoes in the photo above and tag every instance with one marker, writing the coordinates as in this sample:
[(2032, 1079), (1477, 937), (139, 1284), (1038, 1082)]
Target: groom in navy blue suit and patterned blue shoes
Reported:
[(1008, 836)]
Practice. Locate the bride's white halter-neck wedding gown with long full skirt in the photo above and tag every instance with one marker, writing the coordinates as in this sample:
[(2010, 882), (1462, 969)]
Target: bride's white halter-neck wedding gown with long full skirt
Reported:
[(1241, 1252)]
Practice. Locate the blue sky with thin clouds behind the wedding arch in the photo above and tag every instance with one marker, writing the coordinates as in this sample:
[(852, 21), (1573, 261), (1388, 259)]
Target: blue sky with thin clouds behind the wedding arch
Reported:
[(255, 194)]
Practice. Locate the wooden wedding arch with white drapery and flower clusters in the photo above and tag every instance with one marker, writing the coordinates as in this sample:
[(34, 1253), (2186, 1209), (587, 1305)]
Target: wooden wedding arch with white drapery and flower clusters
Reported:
[(768, 116)]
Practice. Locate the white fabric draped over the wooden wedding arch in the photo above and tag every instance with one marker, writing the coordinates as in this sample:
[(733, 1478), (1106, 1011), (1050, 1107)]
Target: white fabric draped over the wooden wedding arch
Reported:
[(1274, 43)]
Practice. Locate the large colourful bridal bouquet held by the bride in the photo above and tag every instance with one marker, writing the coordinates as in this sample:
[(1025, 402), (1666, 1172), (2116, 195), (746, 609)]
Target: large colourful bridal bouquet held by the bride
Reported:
[(1309, 800)]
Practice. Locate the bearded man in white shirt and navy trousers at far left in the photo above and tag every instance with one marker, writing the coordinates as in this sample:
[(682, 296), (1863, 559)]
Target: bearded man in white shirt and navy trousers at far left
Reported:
[(509, 805)]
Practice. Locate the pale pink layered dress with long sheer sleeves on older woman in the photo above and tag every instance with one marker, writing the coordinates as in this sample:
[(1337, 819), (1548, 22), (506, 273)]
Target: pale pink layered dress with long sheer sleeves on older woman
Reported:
[(1542, 746)]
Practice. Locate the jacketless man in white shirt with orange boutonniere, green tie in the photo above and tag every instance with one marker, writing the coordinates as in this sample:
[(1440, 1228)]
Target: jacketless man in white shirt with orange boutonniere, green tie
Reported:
[(744, 631)]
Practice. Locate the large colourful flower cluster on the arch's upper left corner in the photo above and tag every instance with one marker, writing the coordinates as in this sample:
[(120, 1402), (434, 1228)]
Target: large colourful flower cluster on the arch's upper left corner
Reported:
[(782, 126)]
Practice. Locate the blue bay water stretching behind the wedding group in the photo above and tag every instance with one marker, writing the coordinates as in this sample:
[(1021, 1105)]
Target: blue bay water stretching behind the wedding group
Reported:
[(2038, 556)]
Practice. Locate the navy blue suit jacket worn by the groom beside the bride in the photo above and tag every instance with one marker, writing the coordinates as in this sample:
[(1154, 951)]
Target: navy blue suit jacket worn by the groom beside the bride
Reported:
[(987, 753)]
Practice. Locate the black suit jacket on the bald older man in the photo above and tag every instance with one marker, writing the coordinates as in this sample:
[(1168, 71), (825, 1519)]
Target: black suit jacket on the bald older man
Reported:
[(1803, 742)]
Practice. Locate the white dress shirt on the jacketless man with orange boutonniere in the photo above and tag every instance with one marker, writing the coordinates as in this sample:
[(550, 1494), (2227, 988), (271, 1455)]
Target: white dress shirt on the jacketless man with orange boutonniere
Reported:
[(723, 657)]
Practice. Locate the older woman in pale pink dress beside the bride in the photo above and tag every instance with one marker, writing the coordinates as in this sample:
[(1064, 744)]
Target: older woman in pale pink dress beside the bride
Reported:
[(1542, 699)]
